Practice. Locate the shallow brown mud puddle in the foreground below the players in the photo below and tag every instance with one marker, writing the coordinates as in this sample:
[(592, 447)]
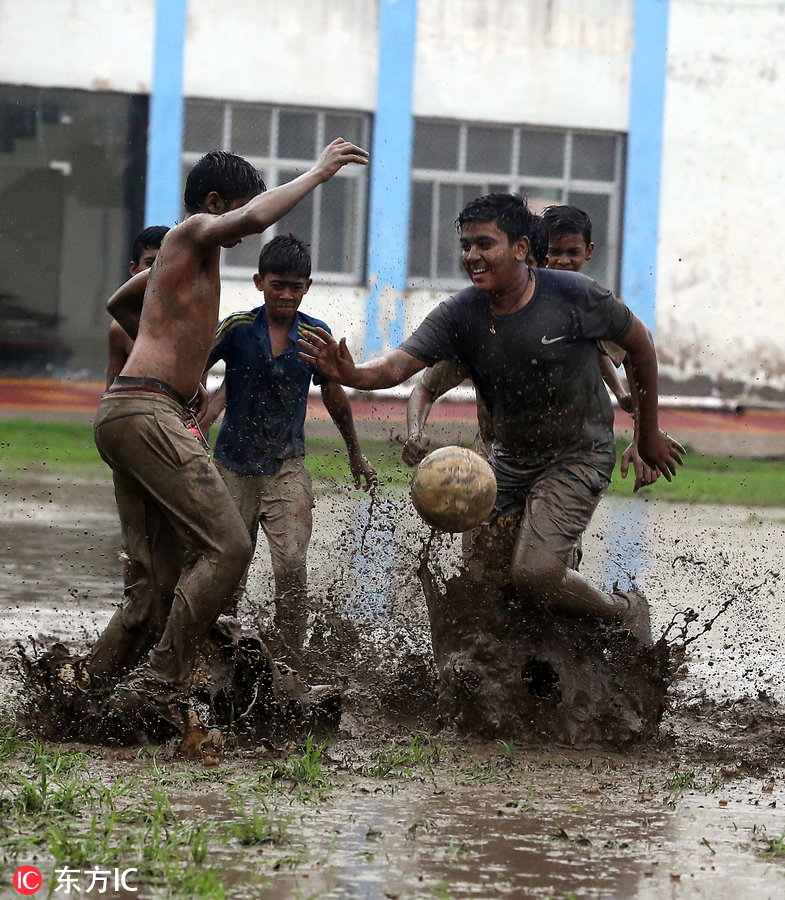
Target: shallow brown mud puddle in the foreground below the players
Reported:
[(475, 822)]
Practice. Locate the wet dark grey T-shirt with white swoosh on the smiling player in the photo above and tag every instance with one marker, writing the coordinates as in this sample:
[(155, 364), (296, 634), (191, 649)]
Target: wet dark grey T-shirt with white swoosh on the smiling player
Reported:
[(537, 369)]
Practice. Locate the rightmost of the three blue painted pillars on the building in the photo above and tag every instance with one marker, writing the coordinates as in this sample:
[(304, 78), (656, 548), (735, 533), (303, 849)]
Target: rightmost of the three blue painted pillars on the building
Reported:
[(644, 158)]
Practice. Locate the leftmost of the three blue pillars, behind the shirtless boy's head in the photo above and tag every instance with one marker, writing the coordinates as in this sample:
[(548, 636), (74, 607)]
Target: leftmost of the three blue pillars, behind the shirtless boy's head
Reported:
[(165, 130)]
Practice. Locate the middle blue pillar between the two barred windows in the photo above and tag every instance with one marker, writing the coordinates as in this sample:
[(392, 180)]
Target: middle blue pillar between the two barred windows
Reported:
[(391, 157)]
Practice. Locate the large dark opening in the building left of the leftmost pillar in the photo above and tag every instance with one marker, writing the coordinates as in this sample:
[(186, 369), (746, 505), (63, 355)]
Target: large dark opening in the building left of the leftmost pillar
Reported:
[(72, 167)]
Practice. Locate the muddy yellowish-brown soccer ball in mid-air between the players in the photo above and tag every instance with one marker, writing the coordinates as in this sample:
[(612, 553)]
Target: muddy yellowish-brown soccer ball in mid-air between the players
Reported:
[(453, 489)]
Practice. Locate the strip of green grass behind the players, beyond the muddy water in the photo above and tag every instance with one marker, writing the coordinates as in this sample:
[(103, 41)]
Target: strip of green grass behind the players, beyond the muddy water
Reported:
[(39, 447)]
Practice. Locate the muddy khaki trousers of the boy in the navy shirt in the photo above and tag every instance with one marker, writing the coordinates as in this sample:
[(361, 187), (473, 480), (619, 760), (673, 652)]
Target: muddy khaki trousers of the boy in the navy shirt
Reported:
[(282, 505)]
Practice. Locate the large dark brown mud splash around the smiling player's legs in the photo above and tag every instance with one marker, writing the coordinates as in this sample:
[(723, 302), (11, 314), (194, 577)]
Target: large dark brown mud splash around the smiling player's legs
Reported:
[(513, 671)]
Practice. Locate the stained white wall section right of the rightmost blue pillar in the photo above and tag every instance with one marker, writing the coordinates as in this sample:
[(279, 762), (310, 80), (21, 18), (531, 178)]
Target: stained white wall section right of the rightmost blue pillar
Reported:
[(720, 309)]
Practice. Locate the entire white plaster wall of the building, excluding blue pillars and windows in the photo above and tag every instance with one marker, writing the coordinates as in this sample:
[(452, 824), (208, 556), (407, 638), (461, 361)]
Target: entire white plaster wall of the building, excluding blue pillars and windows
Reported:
[(719, 315)]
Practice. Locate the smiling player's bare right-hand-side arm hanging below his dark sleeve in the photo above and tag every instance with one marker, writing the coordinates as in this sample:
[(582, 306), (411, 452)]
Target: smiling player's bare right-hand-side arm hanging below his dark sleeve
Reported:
[(656, 448)]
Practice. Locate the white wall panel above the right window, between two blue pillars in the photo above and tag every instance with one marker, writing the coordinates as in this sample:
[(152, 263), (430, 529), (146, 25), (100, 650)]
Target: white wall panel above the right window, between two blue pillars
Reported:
[(544, 62)]
